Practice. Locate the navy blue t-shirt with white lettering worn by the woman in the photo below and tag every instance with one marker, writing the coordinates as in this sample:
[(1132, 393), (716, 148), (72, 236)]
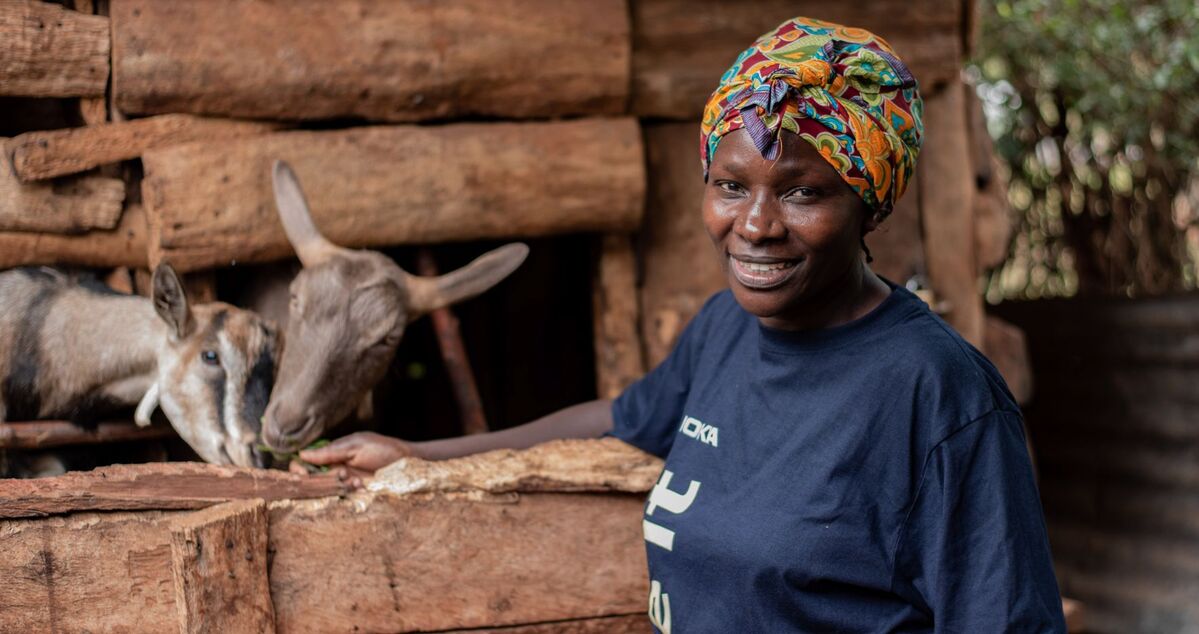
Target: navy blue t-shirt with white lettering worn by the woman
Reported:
[(870, 478)]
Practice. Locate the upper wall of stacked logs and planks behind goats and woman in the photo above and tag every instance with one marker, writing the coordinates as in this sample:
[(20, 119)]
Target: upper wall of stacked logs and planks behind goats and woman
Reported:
[(417, 123)]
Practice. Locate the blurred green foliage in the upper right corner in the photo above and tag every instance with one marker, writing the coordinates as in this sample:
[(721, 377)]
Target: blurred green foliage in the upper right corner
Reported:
[(1095, 110)]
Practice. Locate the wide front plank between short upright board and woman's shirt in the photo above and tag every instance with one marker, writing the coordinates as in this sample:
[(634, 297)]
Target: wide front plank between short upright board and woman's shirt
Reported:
[(443, 563)]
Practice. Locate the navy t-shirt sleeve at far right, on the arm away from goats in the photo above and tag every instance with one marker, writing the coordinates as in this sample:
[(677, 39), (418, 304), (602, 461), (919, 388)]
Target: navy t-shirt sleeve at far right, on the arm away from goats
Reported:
[(974, 550)]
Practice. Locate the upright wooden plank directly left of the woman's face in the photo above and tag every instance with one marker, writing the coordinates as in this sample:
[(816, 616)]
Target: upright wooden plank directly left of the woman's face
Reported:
[(682, 268)]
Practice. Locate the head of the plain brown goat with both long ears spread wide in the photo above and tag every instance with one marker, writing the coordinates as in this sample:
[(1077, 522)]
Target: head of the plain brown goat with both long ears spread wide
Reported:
[(348, 312)]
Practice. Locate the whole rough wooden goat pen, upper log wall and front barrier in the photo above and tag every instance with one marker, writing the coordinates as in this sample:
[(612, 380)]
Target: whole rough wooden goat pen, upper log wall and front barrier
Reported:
[(509, 119)]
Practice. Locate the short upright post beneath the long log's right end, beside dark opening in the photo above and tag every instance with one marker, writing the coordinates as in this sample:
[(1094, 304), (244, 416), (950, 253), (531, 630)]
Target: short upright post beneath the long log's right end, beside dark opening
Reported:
[(614, 307)]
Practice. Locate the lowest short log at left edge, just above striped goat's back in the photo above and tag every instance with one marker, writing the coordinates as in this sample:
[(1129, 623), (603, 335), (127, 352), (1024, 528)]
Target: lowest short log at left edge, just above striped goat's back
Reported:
[(123, 246)]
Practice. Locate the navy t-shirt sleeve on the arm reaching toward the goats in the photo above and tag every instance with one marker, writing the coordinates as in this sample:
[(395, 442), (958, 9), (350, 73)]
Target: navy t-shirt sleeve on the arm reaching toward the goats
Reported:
[(648, 413)]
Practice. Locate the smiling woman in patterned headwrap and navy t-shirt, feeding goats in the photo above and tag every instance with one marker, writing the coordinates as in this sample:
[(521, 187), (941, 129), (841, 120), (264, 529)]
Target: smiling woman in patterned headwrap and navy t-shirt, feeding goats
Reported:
[(838, 458)]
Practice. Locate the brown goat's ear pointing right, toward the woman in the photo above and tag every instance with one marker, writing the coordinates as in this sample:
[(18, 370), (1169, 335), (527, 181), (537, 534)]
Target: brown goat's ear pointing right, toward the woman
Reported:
[(427, 294)]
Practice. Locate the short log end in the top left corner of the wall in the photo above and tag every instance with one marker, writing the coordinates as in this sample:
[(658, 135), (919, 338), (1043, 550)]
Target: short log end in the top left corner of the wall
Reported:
[(51, 52)]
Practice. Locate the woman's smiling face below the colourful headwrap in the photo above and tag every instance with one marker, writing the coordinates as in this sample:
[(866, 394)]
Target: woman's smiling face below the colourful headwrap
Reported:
[(788, 231)]
